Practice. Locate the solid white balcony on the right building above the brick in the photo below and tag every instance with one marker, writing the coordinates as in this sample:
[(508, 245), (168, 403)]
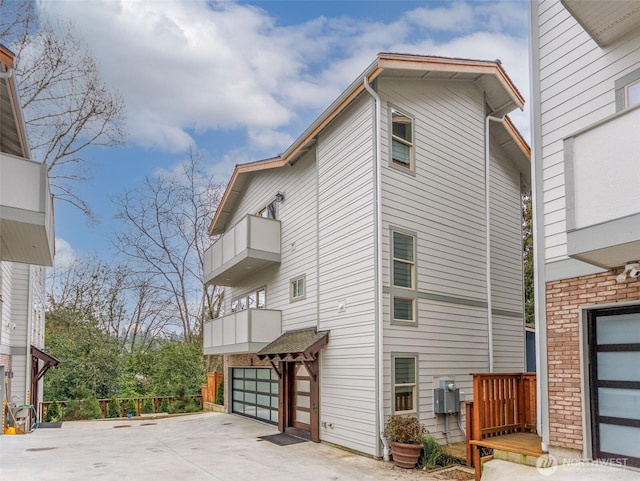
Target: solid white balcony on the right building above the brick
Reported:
[(602, 169)]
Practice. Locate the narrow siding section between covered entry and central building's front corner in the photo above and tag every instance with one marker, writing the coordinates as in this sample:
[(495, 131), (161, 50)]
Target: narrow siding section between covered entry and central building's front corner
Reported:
[(346, 274)]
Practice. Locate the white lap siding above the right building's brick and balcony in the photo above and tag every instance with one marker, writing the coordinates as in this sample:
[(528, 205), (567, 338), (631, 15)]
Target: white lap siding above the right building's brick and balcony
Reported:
[(576, 90)]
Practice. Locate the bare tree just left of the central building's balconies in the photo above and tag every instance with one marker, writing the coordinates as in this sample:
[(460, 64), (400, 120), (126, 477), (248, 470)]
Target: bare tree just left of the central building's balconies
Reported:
[(165, 235)]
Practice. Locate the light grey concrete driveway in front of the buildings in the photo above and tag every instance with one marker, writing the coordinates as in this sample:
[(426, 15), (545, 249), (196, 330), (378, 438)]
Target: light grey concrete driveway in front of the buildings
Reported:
[(209, 446)]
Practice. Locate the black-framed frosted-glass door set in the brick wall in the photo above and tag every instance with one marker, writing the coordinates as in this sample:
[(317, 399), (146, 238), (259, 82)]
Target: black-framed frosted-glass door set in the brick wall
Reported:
[(614, 357)]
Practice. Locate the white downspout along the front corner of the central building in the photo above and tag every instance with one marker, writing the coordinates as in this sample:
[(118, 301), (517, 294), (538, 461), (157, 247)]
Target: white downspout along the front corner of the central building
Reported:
[(378, 270)]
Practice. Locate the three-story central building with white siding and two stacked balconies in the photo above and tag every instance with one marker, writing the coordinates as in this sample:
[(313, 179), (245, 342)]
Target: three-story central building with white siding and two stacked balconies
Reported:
[(358, 262)]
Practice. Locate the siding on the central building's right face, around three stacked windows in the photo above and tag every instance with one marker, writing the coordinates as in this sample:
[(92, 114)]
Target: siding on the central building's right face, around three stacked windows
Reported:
[(444, 205)]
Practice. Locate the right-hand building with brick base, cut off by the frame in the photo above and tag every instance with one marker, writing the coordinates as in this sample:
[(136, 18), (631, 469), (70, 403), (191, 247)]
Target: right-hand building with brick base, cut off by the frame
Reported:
[(586, 137)]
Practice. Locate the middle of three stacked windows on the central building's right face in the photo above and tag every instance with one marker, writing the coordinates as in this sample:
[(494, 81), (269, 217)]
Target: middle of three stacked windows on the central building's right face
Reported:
[(404, 291)]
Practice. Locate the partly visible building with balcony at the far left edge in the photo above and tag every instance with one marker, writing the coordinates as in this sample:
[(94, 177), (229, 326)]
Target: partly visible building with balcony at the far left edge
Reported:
[(26, 246)]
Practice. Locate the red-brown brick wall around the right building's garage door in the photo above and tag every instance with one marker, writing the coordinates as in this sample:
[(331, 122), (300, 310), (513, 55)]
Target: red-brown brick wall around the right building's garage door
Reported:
[(564, 297)]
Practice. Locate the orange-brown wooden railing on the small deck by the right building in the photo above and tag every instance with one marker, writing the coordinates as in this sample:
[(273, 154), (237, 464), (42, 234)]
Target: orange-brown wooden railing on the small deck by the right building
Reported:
[(503, 404)]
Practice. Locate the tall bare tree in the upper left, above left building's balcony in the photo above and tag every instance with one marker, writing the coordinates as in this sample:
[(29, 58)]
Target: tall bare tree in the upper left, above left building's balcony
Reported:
[(66, 105)]
